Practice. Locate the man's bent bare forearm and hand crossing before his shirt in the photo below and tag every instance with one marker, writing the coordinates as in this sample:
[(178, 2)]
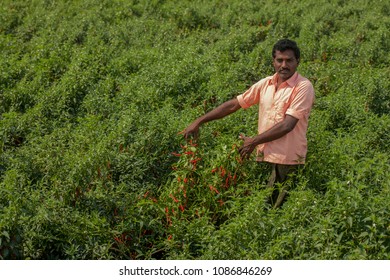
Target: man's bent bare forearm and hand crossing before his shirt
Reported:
[(275, 132)]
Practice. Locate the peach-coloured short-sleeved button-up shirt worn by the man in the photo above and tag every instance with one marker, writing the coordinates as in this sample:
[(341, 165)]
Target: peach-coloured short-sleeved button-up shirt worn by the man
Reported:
[(294, 97)]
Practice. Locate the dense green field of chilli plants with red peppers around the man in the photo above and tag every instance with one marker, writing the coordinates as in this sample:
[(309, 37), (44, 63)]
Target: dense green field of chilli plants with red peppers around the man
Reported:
[(94, 92)]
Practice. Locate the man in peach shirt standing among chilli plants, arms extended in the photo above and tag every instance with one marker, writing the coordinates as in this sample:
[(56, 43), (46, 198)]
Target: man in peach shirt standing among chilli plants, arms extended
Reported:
[(285, 100)]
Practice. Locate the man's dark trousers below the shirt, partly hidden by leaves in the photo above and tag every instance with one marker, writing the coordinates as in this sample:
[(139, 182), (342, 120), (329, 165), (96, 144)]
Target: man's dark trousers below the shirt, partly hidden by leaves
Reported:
[(280, 181)]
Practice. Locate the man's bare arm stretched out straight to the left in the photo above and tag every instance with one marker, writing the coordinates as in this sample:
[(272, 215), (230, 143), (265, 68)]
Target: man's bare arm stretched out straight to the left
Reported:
[(220, 112)]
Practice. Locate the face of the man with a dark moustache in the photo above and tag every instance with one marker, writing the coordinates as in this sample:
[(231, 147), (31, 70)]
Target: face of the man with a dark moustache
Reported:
[(285, 64)]
